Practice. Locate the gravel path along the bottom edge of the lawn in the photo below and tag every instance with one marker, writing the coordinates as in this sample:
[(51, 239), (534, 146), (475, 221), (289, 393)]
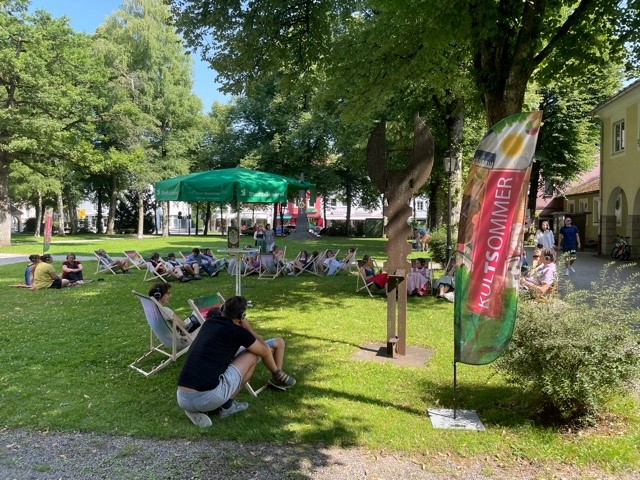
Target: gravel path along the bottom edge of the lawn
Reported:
[(44, 456)]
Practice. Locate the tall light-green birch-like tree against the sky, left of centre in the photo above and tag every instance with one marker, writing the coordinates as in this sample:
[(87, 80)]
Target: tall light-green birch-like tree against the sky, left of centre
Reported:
[(152, 126)]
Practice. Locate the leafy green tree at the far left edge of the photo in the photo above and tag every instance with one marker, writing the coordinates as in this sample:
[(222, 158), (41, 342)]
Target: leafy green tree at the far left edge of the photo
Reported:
[(46, 100)]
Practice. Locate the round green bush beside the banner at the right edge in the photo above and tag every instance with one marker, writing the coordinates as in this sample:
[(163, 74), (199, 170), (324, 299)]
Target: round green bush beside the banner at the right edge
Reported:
[(570, 360)]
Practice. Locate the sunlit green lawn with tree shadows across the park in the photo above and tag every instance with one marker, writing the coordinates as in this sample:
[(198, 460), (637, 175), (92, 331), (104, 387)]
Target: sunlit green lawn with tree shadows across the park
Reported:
[(64, 366)]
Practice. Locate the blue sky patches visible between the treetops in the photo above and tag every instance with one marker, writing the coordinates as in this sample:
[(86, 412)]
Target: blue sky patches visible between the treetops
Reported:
[(87, 15)]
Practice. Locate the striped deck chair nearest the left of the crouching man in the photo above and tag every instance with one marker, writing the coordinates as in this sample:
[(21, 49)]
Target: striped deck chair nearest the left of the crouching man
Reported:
[(166, 337)]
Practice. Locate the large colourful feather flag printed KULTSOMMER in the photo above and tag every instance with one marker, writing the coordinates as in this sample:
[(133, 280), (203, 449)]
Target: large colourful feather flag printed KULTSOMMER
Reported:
[(490, 239)]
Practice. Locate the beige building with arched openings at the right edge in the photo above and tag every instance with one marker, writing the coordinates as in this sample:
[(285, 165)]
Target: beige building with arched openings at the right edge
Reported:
[(620, 168)]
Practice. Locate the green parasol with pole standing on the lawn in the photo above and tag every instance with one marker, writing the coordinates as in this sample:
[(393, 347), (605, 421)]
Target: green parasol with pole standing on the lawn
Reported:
[(233, 185)]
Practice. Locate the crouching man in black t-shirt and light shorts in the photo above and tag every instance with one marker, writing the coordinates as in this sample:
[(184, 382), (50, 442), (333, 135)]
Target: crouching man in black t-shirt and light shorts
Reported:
[(214, 372)]
